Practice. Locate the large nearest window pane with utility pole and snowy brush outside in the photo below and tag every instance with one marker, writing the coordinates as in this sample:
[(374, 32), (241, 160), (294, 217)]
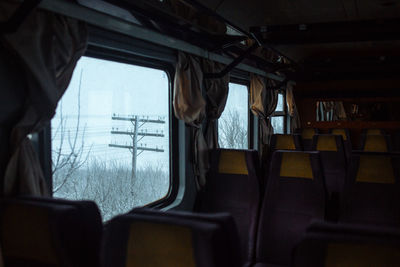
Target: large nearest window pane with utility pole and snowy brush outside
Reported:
[(110, 136)]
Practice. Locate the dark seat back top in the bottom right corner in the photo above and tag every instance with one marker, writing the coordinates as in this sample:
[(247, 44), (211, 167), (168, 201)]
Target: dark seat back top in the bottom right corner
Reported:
[(347, 245)]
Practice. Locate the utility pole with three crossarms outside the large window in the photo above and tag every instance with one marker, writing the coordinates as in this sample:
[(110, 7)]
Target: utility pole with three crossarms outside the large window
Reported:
[(136, 135)]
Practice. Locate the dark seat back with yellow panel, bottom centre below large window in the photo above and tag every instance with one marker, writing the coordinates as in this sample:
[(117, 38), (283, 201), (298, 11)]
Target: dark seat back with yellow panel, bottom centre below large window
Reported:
[(139, 239)]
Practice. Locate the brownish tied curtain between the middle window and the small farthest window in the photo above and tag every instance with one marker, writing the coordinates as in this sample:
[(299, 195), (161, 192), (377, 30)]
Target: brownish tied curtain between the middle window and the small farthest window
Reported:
[(263, 103)]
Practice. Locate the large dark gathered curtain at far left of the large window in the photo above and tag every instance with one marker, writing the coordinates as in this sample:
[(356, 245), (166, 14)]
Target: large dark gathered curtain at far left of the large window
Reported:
[(48, 47)]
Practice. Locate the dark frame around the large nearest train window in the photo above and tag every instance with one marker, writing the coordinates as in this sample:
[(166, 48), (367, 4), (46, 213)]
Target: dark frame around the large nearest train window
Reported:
[(110, 54)]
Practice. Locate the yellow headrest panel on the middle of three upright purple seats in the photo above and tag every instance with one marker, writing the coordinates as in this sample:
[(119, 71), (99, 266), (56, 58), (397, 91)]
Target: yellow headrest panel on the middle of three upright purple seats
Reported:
[(296, 165)]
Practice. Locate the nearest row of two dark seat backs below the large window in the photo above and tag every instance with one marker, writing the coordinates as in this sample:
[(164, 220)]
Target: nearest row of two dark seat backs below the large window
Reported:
[(50, 232)]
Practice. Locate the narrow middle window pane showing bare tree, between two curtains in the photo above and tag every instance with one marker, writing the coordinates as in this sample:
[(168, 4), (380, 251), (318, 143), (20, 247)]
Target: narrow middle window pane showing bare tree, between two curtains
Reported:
[(233, 123)]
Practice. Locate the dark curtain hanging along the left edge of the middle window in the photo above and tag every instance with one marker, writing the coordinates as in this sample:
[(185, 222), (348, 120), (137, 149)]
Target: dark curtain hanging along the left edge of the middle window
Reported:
[(217, 93)]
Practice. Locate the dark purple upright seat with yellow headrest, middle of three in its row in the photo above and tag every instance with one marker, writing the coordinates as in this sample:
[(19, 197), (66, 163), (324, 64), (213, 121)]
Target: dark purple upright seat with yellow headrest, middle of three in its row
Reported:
[(295, 195)]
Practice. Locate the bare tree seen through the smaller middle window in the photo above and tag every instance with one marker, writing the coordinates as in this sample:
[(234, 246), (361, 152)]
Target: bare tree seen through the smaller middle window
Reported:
[(231, 131)]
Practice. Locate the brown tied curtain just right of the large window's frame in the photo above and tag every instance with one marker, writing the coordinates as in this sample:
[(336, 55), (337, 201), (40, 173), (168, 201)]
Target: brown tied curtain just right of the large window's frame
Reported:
[(189, 106)]
